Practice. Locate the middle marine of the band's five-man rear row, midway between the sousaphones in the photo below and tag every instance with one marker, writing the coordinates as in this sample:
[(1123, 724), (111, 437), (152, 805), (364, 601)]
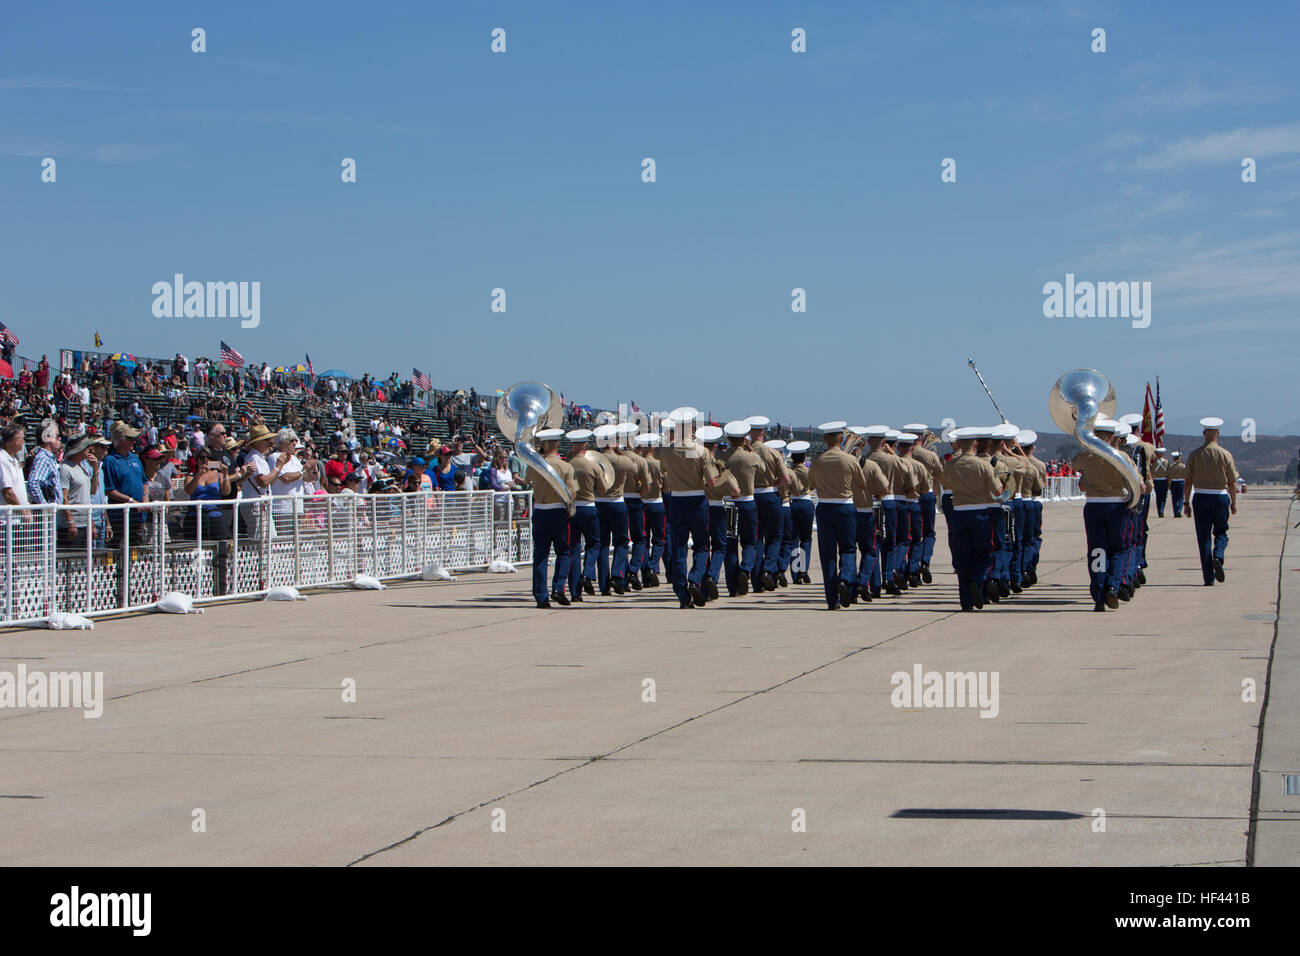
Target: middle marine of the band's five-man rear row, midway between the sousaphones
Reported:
[(834, 477)]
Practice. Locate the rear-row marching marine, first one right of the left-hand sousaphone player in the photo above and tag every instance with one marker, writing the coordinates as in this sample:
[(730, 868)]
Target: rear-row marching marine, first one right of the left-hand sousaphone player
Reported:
[(688, 471)]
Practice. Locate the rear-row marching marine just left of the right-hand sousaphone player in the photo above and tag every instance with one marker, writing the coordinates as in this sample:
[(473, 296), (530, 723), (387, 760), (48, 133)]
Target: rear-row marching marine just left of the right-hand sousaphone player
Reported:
[(976, 488)]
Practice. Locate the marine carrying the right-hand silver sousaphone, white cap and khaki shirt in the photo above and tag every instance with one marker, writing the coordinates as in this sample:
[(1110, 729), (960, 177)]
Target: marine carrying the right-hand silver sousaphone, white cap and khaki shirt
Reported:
[(1104, 518)]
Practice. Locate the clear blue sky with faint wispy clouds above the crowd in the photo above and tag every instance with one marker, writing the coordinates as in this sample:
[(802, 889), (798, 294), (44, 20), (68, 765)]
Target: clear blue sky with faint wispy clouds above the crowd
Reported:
[(775, 171)]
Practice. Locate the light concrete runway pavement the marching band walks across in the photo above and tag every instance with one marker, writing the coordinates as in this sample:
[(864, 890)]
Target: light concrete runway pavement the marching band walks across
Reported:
[(471, 702)]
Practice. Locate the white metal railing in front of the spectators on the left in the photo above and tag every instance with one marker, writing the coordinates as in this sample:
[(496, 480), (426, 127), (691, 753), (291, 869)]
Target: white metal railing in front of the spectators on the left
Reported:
[(227, 550)]
